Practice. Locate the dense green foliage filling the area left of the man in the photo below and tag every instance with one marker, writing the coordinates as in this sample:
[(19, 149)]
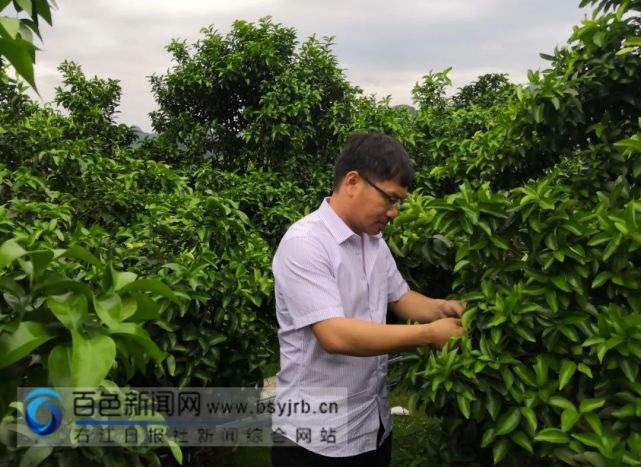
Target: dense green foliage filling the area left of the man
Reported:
[(160, 279)]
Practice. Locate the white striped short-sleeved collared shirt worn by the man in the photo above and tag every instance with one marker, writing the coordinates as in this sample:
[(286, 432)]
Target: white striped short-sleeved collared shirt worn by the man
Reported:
[(320, 272)]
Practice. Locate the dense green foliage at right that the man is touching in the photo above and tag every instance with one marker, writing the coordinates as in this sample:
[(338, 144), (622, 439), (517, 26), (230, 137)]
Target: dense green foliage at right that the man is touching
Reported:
[(541, 239)]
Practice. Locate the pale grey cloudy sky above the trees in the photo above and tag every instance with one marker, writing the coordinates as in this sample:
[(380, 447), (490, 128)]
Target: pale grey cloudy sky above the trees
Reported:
[(384, 46)]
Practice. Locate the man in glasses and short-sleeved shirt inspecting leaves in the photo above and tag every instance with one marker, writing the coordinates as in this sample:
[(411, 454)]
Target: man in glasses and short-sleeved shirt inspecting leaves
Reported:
[(334, 280)]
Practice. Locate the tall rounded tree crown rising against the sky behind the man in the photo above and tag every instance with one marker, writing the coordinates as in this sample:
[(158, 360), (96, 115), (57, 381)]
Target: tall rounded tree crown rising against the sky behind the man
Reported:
[(252, 99)]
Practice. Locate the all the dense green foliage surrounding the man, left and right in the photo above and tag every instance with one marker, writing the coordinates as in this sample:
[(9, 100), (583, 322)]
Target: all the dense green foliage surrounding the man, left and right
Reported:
[(147, 262)]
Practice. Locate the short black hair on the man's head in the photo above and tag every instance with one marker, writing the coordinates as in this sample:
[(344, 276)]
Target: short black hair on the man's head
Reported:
[(375, 156)]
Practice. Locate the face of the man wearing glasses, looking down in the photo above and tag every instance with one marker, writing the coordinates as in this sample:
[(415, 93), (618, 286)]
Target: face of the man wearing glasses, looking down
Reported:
[(376, 204)]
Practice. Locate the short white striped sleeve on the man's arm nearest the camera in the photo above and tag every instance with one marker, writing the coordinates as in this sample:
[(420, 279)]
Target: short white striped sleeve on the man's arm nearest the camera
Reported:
[(305, 281)]
